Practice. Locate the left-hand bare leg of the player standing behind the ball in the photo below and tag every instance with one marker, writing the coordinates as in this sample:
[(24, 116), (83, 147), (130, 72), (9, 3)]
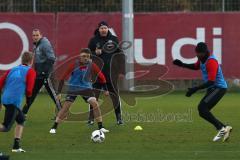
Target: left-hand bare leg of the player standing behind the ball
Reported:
[(62, 114)]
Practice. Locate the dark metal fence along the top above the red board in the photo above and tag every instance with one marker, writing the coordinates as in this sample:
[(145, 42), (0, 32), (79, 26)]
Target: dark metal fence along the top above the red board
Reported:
[(116, 5)]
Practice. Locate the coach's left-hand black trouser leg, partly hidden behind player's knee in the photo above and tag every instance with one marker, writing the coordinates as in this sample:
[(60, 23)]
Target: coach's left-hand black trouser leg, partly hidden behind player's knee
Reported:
[(97, 90)]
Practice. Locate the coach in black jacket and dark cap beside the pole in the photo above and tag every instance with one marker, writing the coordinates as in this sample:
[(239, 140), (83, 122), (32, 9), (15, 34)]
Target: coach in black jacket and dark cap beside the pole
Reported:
[(105, 46)]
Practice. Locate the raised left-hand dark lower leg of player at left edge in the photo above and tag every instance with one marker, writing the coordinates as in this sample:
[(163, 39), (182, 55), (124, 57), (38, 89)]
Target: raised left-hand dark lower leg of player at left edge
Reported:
[(9, 118)]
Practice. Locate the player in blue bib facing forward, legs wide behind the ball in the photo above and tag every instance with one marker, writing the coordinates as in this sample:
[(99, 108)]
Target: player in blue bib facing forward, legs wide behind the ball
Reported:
[(80, 83)]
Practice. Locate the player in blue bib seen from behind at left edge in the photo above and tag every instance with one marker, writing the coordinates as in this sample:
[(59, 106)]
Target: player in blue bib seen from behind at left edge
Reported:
[(14, 84)]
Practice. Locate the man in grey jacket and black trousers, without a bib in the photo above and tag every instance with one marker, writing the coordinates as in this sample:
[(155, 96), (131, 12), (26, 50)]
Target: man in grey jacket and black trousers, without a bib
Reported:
[(44, 59)]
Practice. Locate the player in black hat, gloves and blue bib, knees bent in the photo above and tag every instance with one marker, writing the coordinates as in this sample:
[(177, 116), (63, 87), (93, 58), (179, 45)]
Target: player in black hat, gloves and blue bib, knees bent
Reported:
[(215, 84)]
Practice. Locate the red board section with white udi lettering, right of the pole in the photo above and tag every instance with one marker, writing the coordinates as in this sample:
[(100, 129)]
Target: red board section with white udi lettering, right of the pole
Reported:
[(179, 30)]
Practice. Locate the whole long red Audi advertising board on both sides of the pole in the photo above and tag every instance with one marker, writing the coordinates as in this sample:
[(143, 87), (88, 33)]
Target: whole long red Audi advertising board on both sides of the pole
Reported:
[(159, 37)]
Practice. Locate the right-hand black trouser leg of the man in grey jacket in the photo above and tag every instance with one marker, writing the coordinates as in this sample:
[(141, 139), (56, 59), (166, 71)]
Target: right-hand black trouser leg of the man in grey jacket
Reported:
[(52, 94)]
